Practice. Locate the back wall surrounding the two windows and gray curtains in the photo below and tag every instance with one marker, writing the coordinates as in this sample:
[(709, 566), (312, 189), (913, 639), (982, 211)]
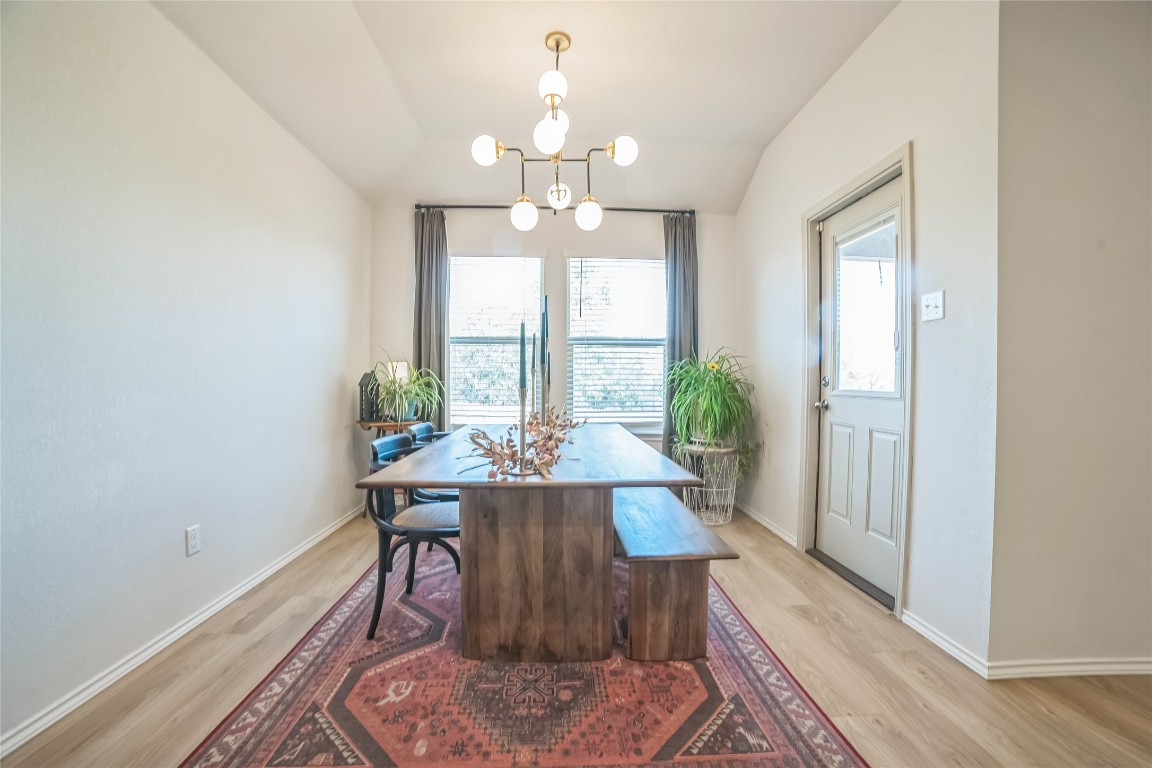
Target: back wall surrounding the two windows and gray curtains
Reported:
[(555, 239)]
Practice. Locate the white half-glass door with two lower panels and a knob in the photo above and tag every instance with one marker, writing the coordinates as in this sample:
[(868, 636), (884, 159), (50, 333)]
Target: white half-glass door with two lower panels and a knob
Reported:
[(861, 401)]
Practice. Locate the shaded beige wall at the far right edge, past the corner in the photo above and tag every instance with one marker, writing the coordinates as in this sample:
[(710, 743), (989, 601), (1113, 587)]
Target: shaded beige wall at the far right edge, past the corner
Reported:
[(1073, 571)]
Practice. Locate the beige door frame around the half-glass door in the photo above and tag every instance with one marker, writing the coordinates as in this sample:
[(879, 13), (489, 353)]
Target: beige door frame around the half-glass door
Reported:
[(897, 166)]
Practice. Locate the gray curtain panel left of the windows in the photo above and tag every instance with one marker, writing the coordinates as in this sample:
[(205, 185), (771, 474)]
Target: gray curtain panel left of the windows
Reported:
[(430, 324)]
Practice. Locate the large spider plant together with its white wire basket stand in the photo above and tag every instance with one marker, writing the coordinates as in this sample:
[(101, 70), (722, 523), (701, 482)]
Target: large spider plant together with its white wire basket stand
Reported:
[(713, 415)]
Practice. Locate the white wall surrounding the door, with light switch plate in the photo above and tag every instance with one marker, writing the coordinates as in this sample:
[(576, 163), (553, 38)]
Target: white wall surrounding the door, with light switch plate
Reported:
[(927, 75)]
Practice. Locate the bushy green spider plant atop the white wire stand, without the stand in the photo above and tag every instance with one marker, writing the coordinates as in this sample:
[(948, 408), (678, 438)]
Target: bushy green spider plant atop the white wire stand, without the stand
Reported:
[(713, 406)]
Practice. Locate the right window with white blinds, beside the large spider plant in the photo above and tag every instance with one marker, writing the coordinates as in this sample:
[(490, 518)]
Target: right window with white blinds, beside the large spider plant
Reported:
[(617, 322)]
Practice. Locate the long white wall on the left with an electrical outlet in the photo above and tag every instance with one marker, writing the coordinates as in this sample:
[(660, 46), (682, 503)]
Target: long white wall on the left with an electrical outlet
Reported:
[(184, 318)]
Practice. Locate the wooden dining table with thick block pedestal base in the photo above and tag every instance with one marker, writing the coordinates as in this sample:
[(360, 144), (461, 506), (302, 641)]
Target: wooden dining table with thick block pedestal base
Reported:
[(536, 553)]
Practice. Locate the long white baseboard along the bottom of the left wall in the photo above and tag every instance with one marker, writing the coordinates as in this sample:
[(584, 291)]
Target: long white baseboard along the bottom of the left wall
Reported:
[(71, 702)]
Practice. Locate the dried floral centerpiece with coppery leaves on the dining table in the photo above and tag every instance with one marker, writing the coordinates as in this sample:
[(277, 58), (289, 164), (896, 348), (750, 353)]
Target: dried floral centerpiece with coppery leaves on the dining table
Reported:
[(542, 450)]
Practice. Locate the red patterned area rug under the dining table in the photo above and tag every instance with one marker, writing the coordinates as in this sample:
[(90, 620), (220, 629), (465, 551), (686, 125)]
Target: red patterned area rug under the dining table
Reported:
[(410, 699)]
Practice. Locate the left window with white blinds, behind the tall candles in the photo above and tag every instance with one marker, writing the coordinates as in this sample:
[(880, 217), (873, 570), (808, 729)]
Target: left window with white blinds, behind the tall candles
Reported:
[(490, 298)]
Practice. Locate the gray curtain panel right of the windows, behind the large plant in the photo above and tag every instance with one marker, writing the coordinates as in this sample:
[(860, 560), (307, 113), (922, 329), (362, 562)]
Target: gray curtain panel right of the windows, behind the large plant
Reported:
[(684, 325)]
